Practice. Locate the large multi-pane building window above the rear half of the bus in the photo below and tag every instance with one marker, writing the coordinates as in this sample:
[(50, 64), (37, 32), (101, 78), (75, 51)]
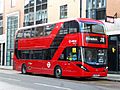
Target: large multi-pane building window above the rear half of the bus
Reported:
[(35, 13)]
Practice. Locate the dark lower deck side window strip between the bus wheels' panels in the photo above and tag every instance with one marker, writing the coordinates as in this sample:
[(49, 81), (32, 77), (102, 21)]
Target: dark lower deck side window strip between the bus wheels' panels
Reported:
[(45, 54)]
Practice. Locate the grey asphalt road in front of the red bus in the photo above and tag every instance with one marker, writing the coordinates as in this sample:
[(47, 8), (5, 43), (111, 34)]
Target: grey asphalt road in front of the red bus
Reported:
[(13, 80)]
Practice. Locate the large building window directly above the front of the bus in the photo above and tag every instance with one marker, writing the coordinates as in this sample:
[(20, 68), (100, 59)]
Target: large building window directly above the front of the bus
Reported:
[(96, 9)]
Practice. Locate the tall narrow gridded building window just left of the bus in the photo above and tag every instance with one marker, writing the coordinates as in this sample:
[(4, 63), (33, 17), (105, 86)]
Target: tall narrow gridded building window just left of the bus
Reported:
[(12, 26)]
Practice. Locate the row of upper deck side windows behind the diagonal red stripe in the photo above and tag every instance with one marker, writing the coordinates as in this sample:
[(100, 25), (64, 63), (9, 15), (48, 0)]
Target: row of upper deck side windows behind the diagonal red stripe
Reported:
[(36, 31)]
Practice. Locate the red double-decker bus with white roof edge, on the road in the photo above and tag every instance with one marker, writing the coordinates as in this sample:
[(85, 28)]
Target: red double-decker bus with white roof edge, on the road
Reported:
[(71, 47)]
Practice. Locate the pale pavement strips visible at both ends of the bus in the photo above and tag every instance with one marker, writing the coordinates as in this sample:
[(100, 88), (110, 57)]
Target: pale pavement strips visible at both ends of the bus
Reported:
[(110, 77)]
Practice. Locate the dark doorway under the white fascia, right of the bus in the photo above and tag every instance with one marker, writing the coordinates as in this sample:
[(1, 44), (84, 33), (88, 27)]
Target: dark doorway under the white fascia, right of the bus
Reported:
[(114, 53)]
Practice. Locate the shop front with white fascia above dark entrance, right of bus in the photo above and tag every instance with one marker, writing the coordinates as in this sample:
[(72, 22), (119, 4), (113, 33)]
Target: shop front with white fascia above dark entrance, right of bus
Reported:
[(113, 32)]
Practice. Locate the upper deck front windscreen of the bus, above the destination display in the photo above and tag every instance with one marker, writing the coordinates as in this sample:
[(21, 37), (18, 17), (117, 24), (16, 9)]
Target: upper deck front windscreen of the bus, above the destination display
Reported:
[(92, 27)]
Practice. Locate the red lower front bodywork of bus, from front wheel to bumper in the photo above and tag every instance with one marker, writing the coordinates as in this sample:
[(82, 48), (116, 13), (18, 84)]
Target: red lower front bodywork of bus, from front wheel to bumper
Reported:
[(70, 68)]
